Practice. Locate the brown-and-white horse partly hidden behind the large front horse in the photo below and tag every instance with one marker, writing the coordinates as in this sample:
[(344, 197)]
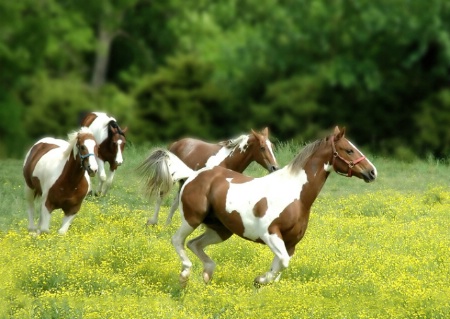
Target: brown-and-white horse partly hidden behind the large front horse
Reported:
[(235, 154)]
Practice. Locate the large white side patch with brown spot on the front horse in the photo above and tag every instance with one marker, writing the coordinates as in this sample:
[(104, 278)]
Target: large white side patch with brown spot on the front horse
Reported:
[(243, 197)]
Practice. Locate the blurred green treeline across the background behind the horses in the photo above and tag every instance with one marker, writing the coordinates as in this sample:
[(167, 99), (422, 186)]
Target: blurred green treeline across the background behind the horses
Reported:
[(214, 69)]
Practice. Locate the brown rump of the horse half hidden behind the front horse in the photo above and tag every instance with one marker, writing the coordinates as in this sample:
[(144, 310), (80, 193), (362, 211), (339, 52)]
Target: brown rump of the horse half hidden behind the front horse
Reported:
[(194, 153)]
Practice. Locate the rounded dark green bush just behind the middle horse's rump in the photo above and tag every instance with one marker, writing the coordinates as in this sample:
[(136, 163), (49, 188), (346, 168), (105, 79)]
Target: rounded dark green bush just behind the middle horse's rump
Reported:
[(178, 98)]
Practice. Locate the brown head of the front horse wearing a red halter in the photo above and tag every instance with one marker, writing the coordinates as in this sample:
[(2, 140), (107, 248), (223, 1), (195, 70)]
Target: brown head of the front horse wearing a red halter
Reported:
[(348, 160)]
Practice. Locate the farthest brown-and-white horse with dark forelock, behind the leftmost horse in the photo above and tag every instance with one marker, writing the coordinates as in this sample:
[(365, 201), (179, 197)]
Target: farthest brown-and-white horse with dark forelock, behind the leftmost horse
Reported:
[(111, 142)]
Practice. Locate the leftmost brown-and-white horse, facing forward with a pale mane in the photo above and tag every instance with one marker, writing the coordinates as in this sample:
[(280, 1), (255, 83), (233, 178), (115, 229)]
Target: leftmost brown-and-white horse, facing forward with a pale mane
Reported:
[(58, 171)]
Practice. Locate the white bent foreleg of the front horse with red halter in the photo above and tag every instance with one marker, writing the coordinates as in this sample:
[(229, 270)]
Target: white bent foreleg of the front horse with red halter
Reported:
[(280, 261)]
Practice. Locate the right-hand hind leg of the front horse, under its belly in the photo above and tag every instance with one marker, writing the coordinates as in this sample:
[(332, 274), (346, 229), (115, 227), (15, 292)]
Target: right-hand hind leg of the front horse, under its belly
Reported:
[(198, 244)]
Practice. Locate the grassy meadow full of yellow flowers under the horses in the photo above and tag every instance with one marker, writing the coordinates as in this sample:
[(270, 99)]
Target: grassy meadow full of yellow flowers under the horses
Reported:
[(378, 250)]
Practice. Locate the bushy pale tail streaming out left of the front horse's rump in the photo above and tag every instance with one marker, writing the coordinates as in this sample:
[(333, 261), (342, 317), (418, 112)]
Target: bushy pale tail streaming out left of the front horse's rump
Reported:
[(161, 170)]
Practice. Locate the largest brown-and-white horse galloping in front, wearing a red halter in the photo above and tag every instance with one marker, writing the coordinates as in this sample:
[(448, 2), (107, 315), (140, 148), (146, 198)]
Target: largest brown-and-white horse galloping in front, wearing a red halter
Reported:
[(272, 210)]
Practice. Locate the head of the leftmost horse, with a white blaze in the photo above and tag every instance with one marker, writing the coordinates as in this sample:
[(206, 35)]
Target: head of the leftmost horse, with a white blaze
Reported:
[(86, 147)]
